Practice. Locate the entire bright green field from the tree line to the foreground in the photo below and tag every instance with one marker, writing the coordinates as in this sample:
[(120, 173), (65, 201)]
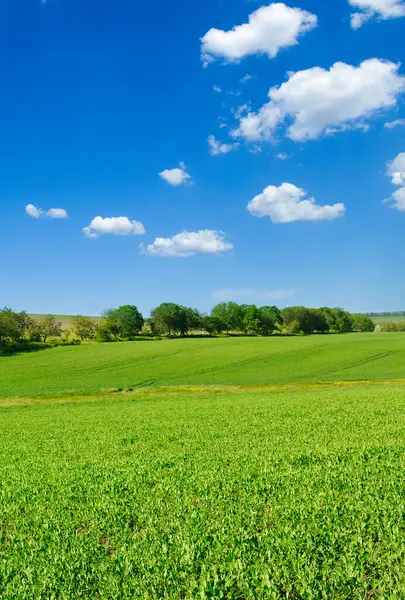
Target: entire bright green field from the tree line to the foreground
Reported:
[(233, 468)]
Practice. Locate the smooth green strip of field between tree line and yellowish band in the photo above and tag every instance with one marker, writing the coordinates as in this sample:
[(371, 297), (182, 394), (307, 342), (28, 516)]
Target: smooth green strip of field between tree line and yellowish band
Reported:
[(226, 361)]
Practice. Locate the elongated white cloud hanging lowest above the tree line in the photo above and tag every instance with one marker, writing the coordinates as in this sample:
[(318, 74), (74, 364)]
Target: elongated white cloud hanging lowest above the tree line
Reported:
[(189, 243)]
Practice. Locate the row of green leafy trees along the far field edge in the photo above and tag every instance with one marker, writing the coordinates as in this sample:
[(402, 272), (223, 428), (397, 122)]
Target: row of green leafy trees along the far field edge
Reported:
[(19, 331)]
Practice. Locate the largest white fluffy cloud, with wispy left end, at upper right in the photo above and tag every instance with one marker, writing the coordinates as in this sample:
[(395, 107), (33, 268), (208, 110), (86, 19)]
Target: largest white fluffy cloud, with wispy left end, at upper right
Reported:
[(320, 101)]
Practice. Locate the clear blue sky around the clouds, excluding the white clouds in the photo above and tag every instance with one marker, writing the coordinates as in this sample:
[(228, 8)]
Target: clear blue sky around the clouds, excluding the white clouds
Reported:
[(98, 97)]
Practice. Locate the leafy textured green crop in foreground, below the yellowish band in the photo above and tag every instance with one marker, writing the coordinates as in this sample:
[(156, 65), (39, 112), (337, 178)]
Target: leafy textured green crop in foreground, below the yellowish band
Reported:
[(245, 496)]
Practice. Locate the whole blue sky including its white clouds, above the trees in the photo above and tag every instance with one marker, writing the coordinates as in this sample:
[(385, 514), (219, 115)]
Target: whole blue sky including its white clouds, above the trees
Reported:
[(102, 101)]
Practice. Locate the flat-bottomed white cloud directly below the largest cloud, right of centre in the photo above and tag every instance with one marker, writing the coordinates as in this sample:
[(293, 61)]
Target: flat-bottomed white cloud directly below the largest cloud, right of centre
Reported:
[(288, 203)]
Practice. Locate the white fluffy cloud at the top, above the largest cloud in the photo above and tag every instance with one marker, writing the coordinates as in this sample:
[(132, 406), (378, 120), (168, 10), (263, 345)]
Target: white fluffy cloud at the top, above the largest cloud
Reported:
[(270, 28)]
